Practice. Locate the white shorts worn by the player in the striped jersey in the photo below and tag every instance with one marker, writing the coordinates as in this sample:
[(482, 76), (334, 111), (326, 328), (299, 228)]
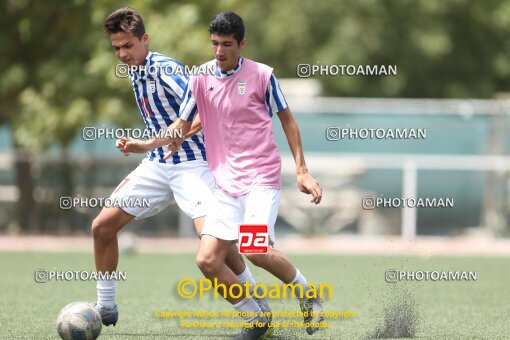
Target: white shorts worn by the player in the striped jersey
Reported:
[(191, 183)]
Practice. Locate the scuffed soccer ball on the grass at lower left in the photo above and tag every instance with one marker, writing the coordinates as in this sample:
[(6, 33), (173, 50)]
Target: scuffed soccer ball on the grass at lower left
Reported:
[(79, 320)]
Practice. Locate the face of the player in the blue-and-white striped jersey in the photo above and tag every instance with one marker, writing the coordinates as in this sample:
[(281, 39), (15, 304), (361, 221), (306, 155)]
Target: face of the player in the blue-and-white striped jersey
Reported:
[(128, 48)]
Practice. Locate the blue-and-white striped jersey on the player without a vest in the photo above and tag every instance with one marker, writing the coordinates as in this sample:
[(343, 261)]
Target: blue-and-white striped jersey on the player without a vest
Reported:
[(158, 92)]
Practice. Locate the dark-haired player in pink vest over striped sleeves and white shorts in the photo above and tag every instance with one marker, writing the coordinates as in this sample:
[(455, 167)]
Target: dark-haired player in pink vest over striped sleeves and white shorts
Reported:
[(236, 107)]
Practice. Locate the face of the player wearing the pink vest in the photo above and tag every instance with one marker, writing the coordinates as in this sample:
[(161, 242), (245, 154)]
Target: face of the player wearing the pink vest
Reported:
[(226, 50)]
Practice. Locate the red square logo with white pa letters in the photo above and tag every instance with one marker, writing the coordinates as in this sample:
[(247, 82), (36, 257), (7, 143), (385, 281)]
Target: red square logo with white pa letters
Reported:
[(253, 239)]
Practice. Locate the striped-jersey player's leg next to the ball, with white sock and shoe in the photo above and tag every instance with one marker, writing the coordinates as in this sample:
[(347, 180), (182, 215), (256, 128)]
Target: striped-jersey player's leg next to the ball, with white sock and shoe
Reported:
[(106, 255)]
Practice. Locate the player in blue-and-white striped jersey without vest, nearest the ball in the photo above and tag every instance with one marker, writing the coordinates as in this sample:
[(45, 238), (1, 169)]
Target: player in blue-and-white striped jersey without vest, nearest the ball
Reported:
[(185, 176)]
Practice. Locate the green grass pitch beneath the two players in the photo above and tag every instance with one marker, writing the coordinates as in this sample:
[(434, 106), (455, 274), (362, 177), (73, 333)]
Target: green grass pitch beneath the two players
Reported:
[(447, 310)]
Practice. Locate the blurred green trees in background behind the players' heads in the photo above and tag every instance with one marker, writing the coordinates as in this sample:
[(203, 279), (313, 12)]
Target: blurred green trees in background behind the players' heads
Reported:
[(57, 66)]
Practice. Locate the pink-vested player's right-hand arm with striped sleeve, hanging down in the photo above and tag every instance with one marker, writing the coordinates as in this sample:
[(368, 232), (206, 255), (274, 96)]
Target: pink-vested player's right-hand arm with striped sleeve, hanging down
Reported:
[(275, 102)]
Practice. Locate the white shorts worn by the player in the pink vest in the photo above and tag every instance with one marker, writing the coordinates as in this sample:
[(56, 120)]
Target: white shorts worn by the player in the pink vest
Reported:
[(259, 206)]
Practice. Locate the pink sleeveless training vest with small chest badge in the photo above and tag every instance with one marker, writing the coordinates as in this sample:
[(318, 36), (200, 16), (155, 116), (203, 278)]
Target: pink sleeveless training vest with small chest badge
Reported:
[(241, 148)]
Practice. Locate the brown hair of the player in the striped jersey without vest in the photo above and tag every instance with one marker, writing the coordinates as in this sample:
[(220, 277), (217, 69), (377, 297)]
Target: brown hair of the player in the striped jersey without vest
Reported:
[(126, 20)]
